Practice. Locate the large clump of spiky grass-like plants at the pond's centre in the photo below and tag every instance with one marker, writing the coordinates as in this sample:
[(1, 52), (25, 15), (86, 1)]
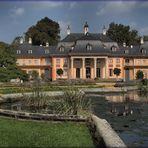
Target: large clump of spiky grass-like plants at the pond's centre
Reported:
[(73, 102)]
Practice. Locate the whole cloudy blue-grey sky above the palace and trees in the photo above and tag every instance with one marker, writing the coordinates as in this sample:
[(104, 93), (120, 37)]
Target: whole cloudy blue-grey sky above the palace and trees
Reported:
[(17, 16)]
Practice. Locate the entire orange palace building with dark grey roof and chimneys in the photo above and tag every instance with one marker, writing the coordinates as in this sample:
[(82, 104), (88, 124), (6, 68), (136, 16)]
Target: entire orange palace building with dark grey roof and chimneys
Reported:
[(84, 56)]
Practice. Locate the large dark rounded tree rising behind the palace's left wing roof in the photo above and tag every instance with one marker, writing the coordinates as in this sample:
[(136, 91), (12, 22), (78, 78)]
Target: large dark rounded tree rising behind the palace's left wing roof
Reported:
[(46, 30)]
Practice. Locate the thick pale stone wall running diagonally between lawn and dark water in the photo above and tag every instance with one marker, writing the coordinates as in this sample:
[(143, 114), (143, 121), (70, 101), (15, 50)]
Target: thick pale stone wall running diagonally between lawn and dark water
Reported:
[(103, 133)]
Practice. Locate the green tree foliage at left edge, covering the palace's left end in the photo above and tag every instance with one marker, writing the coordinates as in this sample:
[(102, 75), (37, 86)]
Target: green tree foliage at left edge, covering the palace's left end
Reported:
[(8, 67)]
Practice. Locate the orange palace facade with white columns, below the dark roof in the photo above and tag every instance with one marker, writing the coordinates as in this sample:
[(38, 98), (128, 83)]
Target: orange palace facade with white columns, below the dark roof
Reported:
[(85, 67)]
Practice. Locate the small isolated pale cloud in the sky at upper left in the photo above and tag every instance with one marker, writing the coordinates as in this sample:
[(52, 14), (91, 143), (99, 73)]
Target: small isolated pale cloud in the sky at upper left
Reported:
[(15, 12)]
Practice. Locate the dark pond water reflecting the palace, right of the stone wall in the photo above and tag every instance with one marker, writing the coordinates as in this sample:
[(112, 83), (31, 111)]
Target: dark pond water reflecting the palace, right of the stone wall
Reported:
[(127, 114)]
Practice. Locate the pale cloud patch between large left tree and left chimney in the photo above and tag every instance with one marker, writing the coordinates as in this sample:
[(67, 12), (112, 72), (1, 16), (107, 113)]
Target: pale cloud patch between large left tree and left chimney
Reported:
[(63, 28)]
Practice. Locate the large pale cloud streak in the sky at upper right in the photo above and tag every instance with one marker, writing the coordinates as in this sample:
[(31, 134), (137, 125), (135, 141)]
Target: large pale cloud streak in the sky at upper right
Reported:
[(116, 8)]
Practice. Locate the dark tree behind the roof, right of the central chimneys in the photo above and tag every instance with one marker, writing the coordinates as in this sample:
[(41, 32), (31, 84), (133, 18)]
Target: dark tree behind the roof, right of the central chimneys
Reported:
[(121, 33)]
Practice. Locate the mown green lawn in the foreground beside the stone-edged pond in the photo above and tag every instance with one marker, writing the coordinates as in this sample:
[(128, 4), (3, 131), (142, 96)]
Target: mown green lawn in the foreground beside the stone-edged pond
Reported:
[(18, 133)]
